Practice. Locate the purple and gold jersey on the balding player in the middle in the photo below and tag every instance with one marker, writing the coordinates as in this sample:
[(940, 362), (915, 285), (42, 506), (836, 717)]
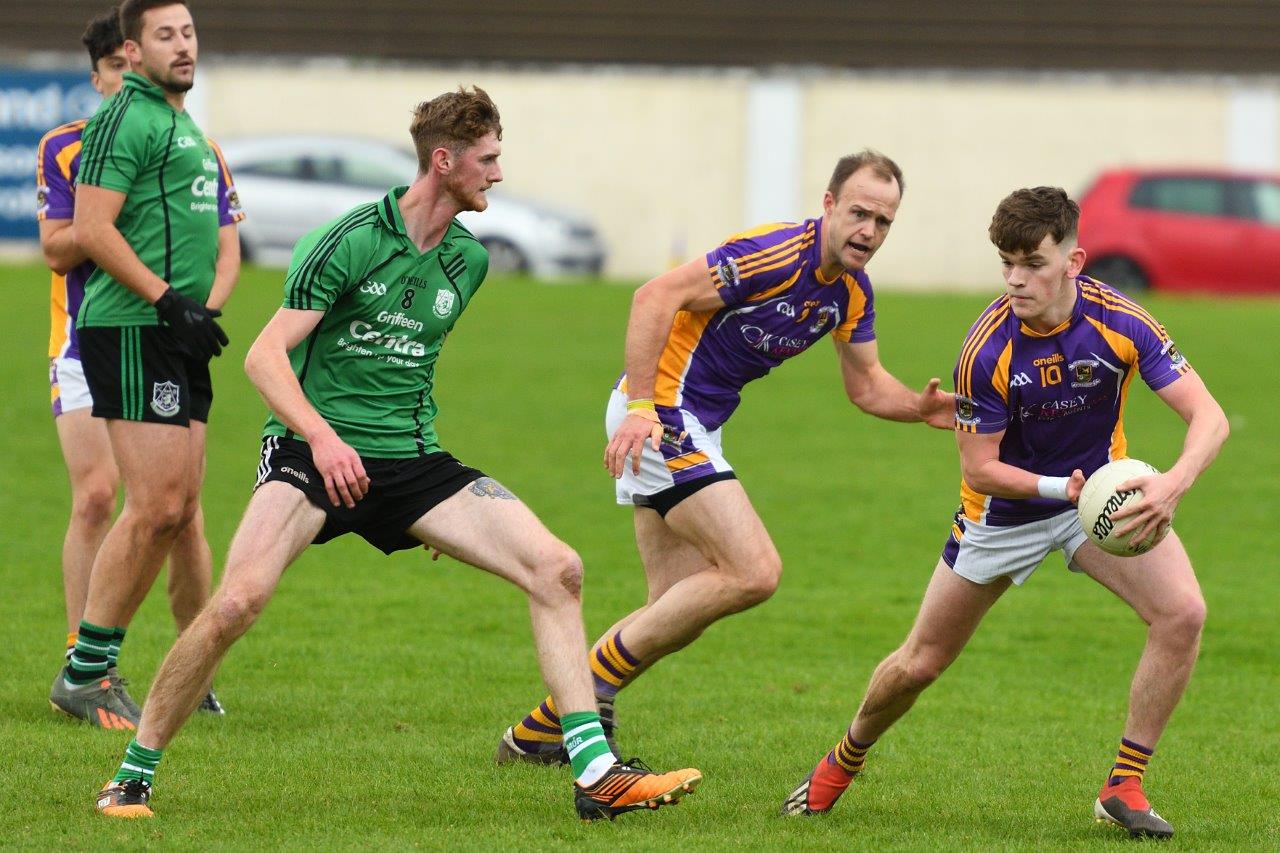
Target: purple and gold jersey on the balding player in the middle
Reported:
[(778, 304)]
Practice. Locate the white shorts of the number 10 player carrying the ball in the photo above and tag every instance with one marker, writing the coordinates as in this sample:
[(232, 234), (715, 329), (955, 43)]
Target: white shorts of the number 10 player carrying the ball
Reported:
[(984, 553)]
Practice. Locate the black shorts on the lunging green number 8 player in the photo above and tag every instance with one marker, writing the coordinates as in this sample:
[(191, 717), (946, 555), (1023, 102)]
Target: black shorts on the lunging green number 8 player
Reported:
[(401, 491)]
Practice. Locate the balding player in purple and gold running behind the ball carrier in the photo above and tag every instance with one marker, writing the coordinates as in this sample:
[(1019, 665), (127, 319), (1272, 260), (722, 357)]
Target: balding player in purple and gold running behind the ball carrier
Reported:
[(697, 336)]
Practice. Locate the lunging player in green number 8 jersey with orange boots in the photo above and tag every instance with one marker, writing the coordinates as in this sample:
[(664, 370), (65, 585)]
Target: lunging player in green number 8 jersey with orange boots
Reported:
[(348, 368)]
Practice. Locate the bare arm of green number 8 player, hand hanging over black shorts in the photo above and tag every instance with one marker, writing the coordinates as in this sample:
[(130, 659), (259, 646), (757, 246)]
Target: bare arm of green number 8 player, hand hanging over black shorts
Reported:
[(268, 368)]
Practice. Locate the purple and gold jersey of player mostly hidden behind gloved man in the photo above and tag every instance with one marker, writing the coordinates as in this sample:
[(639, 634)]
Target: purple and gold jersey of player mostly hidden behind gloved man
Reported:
[(57, 167)]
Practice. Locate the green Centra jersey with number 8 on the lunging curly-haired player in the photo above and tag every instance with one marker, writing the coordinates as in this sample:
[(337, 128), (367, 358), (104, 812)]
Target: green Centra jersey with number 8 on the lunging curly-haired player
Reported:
[(369, 367)]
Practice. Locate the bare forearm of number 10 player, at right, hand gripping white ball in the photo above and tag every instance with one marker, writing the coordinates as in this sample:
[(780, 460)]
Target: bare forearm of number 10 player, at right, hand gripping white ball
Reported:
[(1206, 431)]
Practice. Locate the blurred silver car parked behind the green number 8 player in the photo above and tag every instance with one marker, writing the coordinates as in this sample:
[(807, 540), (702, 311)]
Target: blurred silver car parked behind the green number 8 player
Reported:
[(291, 185)]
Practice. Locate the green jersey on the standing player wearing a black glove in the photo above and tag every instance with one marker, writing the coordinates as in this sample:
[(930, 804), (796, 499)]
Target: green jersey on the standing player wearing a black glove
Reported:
[(139, 145)]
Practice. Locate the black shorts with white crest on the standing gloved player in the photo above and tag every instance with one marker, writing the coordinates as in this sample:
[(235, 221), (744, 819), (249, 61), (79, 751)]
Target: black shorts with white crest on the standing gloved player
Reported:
[(143, 373)]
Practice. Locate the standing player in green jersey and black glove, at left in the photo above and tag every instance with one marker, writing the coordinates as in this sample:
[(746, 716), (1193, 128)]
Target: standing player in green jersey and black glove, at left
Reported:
[(147, 213)]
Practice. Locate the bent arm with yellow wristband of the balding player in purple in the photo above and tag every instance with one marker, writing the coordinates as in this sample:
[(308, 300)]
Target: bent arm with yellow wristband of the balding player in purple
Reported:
[(653, 309)]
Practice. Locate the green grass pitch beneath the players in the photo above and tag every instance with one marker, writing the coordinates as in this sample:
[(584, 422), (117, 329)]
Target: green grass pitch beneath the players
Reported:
[(365, 706)]
